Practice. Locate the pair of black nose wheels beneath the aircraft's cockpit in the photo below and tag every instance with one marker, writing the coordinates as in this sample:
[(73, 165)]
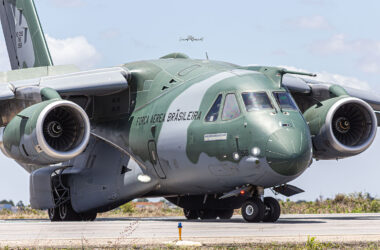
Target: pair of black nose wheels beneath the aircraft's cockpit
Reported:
[(255, 210)]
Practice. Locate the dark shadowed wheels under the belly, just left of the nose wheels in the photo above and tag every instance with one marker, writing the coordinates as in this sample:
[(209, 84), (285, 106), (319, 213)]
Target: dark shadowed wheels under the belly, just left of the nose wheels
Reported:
[(208, 214)]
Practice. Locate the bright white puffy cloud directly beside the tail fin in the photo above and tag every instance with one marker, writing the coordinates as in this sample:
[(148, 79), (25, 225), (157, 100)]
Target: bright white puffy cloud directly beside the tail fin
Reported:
[(73, 50)]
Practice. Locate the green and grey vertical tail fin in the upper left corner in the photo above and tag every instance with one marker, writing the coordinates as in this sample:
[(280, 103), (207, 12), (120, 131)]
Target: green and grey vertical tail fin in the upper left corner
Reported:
[(23, 34)]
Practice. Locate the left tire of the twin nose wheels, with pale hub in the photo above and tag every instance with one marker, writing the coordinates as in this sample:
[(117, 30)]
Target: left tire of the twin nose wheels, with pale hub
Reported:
[(253, 210)]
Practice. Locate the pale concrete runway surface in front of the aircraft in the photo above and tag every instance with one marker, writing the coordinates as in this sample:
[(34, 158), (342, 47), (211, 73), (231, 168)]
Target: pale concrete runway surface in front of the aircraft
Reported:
[(141, 231)]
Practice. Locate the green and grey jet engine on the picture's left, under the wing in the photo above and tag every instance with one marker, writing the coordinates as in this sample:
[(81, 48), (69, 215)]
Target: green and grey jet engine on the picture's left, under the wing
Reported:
[(46, 133)]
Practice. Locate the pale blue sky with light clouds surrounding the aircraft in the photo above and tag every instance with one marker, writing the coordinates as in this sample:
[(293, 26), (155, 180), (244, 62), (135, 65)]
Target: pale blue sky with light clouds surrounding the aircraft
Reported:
[(340, 40)]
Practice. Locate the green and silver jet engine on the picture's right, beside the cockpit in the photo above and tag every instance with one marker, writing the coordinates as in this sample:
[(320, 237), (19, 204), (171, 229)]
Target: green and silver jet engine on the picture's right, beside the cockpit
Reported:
[(341, 127)]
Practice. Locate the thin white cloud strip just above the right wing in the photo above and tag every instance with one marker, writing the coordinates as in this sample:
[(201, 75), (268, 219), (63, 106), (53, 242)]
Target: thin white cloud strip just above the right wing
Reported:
[(324, 76)]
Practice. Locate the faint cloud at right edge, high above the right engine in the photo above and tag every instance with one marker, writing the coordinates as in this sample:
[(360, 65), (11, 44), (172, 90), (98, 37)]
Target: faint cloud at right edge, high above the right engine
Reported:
[(367, 51)]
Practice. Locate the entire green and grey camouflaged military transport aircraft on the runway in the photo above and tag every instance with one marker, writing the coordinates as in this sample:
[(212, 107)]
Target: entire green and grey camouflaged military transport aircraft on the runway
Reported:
[(208, 136)]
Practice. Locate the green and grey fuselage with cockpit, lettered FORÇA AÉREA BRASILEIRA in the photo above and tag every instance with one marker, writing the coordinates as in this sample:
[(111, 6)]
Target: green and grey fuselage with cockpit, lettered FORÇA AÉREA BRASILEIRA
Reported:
[(208, 127)]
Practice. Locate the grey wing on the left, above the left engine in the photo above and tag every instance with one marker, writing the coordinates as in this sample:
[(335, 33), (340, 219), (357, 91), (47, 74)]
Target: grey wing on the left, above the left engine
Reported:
[(17, 94)]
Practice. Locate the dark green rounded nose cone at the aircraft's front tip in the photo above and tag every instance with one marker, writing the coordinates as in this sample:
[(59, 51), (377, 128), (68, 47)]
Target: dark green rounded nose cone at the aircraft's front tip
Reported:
[(288, 151)]
